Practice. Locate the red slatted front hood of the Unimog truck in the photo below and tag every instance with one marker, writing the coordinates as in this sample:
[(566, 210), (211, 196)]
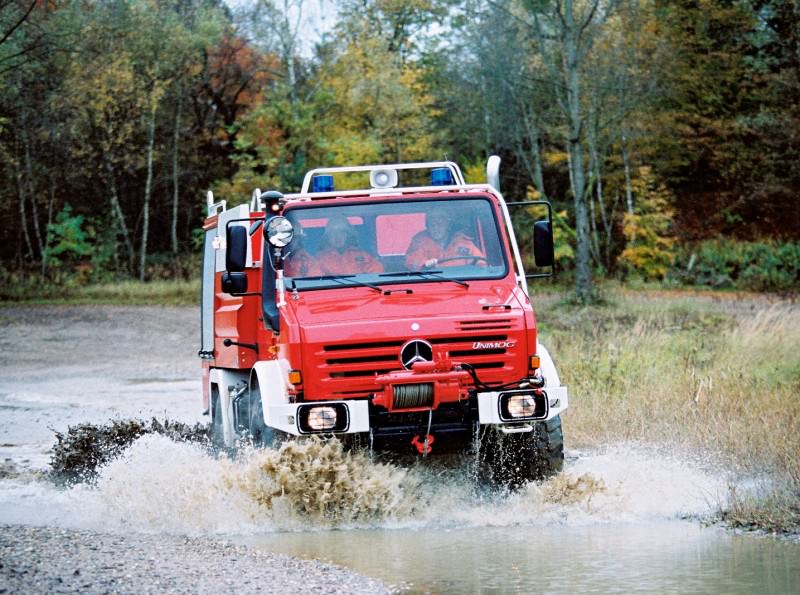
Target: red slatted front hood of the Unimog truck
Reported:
[(350, 336)]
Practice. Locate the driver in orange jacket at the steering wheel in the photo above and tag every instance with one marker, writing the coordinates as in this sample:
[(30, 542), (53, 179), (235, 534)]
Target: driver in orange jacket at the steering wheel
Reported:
[(439, 242)]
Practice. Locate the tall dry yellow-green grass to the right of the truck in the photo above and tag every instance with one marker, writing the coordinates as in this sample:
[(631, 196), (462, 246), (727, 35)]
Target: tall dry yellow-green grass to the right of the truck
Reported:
[(718, 376)]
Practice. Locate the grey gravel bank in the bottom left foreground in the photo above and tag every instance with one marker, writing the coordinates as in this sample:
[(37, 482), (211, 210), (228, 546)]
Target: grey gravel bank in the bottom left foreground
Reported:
[(50, 560)]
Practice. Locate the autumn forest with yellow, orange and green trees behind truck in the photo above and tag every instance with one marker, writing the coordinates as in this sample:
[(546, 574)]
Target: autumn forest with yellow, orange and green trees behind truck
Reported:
[(664, 132)]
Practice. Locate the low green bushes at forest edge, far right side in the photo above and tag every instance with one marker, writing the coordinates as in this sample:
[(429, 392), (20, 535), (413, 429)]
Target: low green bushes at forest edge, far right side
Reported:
[(756, 266)]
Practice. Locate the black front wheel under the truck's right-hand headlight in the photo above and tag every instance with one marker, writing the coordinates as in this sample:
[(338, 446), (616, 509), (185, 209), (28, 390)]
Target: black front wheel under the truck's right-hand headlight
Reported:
[(515, 459)]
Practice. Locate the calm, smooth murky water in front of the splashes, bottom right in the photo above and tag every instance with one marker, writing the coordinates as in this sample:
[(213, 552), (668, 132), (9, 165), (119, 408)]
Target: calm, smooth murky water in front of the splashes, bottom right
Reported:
[(657, 557)]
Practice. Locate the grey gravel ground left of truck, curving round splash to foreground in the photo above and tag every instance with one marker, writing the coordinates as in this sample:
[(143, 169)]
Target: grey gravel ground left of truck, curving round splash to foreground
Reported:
[(60, 366)]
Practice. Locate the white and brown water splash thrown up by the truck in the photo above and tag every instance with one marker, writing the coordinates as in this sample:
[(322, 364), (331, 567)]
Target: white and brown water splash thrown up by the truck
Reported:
[(161, 486)]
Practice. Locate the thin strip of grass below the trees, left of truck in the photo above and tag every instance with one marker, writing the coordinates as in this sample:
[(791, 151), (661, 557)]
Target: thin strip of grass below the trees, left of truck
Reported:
[(173, 293)]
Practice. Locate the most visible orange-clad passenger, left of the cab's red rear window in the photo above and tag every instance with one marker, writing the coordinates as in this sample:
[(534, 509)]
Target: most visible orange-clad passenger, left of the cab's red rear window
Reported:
[(340, 254)]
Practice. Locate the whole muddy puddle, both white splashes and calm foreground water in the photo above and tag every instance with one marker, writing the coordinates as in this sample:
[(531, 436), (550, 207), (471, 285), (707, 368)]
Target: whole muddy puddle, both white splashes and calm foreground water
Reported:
[(613, 521)]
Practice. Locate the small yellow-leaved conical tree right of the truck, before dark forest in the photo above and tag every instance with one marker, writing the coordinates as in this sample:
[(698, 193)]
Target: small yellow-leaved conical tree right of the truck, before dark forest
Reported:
[(650, 247)]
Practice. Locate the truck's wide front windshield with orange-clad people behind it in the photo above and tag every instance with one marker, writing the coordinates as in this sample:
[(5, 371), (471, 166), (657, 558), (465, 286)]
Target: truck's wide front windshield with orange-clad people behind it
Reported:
[(393, 242)]
